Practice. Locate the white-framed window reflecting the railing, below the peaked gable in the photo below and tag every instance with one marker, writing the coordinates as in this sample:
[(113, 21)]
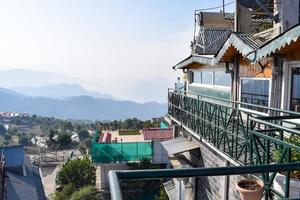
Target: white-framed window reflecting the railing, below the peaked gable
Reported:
[(255, 91)]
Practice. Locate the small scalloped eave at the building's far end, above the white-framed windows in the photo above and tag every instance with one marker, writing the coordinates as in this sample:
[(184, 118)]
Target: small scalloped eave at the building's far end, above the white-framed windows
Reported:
[(198, 59)]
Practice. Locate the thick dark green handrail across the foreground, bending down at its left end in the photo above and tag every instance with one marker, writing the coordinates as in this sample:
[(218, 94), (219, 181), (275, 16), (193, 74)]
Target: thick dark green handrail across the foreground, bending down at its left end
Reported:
[(115, 176)]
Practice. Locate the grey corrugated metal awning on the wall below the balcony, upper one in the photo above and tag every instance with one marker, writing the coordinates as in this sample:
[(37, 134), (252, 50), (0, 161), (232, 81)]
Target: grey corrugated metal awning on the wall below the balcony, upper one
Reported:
[(179, 145)]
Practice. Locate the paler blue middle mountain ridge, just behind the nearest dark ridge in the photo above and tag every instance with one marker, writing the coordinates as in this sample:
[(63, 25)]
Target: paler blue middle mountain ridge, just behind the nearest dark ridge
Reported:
[(61, 90)]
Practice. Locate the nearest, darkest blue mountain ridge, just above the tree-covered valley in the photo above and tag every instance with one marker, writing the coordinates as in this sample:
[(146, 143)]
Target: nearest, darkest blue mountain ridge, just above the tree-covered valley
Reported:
[(81, 107)]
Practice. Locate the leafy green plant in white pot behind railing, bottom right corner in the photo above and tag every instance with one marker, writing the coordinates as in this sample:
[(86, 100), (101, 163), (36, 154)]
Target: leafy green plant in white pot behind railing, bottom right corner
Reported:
[(279, 181)]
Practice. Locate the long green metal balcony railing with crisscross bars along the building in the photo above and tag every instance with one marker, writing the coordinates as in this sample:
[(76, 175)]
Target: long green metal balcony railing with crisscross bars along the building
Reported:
[(246, 136)]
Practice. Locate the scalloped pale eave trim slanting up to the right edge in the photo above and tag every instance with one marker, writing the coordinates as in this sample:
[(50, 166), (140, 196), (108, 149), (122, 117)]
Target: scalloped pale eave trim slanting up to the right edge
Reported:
[(280, 43)]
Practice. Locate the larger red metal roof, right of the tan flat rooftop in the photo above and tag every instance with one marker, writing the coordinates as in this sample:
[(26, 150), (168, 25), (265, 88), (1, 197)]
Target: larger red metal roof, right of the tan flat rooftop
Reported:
[(158, 134)]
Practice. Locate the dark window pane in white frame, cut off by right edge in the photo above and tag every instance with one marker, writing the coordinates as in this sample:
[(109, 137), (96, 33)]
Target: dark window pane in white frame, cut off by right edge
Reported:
[(295, 90)]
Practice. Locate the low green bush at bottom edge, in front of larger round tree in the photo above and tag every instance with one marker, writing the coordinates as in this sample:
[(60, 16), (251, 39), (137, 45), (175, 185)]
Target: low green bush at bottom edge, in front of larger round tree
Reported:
[(86, 193)]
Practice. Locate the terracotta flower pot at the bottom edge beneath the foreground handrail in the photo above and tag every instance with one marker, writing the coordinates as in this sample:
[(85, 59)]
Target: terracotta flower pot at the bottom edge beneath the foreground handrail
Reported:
[(250, 189)]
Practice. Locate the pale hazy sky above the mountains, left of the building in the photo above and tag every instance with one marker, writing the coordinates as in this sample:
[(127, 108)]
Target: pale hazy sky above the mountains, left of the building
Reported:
[(122, 47)]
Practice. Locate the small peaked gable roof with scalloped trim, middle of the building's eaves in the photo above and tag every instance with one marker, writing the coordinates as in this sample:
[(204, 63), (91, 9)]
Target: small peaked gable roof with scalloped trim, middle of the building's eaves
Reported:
[(243, 44)]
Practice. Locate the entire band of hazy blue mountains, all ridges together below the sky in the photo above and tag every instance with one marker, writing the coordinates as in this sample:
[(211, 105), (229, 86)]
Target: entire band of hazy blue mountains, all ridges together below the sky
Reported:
[(54, 95)]
